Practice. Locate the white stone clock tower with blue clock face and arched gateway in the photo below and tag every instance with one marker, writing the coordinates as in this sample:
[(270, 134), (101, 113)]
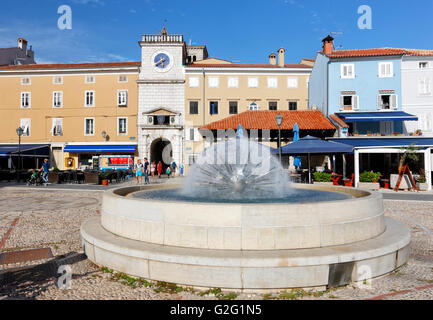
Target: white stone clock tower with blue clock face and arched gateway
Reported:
[(161, 95)]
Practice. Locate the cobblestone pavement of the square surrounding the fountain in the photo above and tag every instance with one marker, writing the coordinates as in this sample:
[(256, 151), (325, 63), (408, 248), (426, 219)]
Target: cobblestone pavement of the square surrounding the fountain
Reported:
[(42, 218)]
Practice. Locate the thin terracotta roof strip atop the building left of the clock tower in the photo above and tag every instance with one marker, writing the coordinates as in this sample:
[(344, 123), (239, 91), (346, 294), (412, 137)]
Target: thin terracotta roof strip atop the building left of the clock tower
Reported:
[(72, 65)]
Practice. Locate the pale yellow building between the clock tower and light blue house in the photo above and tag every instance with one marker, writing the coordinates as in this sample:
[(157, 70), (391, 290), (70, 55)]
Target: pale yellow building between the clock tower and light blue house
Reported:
[(233, 88)]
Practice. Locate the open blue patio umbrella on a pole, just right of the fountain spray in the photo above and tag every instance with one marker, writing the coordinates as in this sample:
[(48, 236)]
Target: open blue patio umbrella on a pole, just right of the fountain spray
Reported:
[(312, 145)]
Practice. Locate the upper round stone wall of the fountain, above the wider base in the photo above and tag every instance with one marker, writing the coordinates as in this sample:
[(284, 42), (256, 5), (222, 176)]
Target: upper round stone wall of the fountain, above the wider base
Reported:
[(267, 225)]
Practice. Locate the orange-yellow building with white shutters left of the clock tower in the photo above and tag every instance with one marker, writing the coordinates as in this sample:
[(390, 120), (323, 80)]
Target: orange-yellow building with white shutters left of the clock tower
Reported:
[(63, 105)]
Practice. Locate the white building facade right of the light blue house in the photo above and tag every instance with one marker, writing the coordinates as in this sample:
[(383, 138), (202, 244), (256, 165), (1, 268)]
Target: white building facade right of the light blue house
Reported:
[(417, 96)]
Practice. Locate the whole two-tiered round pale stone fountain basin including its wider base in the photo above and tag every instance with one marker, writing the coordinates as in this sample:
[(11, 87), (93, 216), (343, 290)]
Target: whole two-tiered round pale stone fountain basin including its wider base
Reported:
[(246, 246)]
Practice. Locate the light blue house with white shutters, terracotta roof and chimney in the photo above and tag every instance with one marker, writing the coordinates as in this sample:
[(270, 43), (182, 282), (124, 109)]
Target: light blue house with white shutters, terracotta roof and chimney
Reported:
[(362, 87)]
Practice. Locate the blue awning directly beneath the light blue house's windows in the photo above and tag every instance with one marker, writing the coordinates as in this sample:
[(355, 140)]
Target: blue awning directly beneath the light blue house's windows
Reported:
[(377, 116)]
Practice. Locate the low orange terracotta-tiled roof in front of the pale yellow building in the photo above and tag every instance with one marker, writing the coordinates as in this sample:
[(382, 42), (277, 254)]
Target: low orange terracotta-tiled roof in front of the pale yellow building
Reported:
[(307, 120)]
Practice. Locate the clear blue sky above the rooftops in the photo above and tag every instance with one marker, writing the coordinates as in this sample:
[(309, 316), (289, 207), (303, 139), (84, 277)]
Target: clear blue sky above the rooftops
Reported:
[(236, 30)]
